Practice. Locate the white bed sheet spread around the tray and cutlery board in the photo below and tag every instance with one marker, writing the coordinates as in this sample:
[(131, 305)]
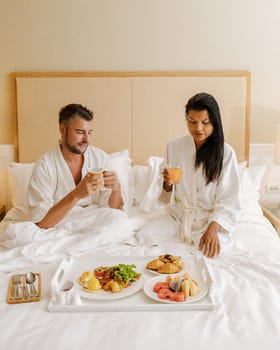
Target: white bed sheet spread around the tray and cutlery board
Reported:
[(246, 295)]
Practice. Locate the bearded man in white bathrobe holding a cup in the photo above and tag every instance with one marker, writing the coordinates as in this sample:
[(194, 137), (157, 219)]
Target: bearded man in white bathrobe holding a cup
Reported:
[(60, 179)]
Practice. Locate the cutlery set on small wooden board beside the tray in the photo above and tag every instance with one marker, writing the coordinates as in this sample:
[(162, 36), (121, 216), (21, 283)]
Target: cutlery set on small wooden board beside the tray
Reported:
[(24, 288)]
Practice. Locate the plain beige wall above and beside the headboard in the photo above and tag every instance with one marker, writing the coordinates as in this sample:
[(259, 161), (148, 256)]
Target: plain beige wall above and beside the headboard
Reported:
[(90, 35)]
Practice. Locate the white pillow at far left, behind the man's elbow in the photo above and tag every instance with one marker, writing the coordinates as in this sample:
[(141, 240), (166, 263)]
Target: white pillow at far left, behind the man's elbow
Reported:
[(18, 179)]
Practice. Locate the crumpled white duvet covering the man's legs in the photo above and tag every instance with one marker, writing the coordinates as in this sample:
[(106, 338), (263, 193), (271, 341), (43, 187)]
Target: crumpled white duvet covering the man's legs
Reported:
[(85, 229)]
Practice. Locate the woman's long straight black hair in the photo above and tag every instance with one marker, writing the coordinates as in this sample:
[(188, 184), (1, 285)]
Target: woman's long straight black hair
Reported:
[(211, 154)]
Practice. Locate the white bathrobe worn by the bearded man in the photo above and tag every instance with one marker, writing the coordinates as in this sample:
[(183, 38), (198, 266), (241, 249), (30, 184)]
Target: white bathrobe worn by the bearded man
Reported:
[(52, 180)]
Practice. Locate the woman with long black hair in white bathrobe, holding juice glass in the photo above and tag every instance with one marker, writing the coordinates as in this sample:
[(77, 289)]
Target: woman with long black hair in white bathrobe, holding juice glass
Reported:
[(205, 203)]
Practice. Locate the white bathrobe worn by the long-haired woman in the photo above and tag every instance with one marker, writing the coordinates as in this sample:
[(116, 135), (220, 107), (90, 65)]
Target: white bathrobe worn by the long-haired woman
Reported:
[(194, 204)]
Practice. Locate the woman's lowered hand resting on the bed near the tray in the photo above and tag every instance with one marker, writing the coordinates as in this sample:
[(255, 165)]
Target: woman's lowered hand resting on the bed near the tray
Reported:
[(209, 243)]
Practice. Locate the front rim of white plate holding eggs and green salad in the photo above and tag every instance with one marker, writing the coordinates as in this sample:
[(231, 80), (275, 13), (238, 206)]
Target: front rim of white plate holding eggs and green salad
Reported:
[(107, 295)]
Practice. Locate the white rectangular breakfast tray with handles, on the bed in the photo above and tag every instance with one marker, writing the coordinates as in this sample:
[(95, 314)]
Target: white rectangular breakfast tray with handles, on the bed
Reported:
[(72, 269)]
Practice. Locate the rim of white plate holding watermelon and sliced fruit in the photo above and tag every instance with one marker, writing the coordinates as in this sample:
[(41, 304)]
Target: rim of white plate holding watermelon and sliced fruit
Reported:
[(148, 289)]
